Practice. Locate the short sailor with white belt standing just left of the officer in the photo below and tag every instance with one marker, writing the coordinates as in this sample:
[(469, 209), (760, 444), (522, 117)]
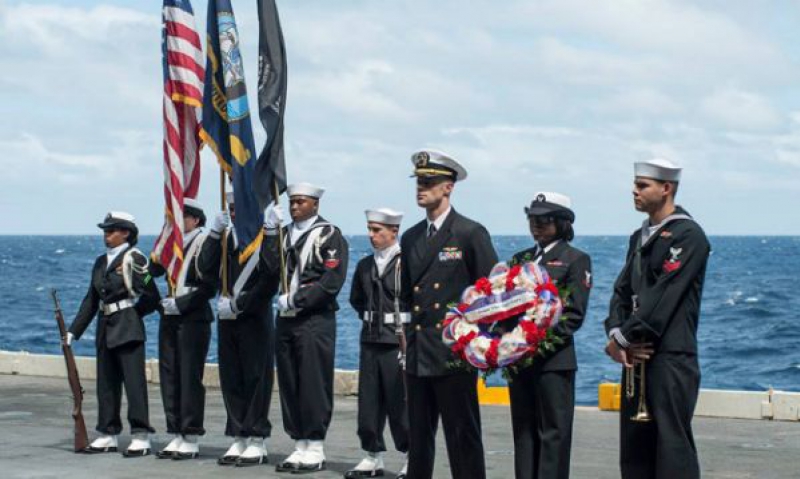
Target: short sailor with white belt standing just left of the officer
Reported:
[(375, 295)]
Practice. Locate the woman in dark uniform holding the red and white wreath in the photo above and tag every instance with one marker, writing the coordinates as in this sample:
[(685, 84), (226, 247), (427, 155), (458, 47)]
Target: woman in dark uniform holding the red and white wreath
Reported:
[(543, 393)]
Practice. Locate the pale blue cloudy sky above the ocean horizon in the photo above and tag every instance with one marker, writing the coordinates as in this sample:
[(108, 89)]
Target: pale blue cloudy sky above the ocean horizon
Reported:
[(560, 95)]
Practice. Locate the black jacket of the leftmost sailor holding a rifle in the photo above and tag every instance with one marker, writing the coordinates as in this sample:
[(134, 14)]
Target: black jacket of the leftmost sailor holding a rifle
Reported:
[(108, 286)]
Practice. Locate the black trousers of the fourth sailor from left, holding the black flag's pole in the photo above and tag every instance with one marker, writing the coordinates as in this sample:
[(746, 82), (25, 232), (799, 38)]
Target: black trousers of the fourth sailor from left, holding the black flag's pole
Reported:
[(304, 353)]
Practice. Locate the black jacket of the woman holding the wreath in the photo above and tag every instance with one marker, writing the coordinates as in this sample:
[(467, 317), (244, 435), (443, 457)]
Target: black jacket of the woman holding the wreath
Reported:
[(571, 270)]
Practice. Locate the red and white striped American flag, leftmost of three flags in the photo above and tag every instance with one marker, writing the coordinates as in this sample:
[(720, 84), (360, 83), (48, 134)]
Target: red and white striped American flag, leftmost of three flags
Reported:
[(183, 96)]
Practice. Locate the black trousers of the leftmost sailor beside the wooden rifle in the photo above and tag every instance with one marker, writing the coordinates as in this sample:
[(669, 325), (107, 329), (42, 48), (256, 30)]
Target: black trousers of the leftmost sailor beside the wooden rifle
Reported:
[(123, 364)]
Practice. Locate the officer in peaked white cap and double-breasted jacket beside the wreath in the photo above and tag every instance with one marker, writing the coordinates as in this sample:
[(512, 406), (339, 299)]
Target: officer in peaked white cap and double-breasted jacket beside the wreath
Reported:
[(441, 256)]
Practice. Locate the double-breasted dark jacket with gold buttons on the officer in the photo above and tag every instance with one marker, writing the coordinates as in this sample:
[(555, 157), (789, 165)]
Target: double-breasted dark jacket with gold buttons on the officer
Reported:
[(435, 272)]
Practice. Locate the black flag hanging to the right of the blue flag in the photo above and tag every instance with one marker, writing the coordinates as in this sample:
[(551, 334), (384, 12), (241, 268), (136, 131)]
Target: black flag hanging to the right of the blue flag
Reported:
[(271, 164)]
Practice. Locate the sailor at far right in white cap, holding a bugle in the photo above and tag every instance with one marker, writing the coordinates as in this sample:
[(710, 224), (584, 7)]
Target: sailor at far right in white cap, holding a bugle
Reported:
[(653, 317)]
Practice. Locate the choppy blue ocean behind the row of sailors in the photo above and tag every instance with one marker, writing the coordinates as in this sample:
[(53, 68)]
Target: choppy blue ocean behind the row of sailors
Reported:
[(749, 327)]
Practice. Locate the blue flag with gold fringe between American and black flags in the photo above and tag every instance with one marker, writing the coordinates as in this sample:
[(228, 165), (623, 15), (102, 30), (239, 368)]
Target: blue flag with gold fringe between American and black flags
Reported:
[(226, 122)]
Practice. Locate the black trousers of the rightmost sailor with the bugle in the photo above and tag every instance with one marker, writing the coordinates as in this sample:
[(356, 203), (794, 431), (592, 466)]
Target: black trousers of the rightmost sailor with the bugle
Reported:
[(663, 448)]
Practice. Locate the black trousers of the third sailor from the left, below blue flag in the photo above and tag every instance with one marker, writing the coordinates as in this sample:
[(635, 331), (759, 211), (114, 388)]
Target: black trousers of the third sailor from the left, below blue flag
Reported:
[(246, 372)]
